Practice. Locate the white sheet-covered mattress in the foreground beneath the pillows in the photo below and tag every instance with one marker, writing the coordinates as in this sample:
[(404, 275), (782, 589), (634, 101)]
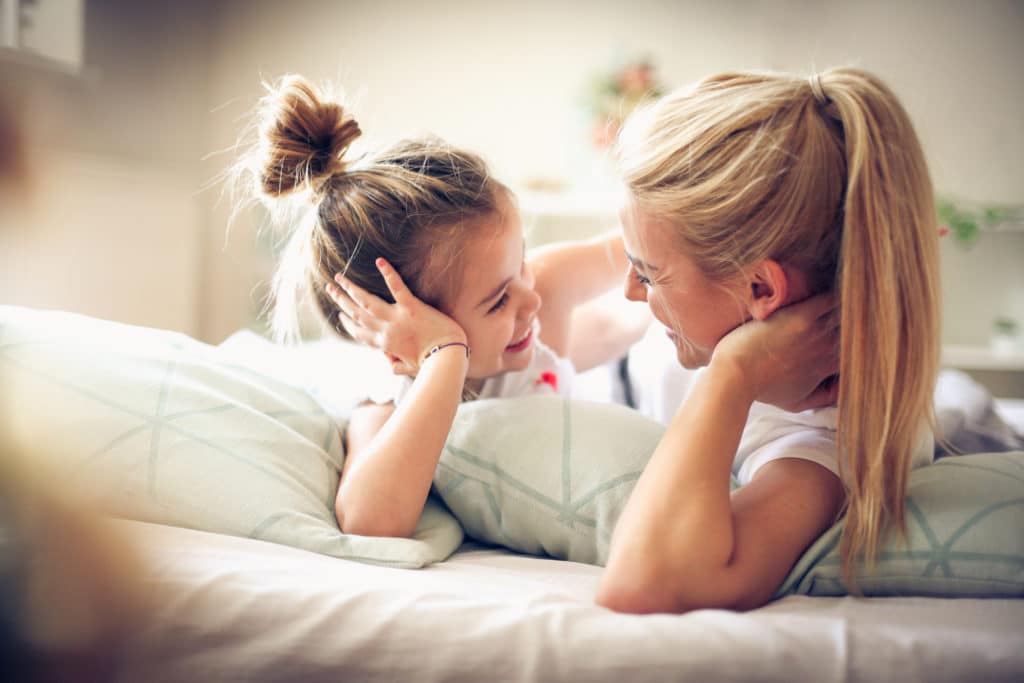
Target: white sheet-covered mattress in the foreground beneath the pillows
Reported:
[(236, 610)]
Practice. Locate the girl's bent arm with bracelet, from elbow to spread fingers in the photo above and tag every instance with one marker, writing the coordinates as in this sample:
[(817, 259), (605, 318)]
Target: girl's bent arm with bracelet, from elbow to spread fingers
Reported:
[(393, 452)]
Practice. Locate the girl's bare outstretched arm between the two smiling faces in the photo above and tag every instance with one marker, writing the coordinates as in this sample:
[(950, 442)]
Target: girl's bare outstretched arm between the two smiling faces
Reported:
[(572, 274)]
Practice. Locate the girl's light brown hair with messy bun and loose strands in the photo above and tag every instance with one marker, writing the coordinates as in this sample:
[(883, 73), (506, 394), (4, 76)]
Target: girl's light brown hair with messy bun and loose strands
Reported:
[(413, 204)]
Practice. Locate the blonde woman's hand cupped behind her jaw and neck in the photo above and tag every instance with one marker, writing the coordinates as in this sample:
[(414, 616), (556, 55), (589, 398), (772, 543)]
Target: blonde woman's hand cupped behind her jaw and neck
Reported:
[(792, 359)]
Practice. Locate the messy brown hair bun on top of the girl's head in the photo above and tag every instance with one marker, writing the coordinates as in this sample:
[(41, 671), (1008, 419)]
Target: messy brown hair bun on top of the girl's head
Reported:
[(304, 138)]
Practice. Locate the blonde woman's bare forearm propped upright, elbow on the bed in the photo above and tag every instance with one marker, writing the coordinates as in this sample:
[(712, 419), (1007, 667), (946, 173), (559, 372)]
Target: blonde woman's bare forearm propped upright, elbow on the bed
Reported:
[(677, 530)]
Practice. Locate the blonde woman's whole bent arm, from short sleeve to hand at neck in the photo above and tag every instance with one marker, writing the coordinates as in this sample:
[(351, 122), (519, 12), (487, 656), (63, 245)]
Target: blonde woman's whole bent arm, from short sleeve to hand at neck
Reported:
[(685, 542)]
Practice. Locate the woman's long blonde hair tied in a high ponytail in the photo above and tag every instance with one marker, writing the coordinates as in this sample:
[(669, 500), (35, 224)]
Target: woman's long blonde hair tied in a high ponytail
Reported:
[(825, 175)]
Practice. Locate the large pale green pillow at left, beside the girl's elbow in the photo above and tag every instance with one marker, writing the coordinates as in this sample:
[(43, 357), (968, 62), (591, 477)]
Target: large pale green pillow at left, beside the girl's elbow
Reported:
[(155, 426)]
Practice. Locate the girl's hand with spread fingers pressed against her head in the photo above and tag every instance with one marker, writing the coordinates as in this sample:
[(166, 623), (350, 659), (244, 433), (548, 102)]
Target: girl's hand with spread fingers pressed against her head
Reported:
[(406, 331)]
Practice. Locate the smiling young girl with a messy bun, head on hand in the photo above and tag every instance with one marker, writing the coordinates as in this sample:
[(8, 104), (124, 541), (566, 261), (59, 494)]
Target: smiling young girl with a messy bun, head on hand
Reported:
[(464, 317)]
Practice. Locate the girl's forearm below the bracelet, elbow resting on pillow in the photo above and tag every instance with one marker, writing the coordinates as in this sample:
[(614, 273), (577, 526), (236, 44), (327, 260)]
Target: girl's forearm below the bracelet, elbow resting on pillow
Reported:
[(383, 493)]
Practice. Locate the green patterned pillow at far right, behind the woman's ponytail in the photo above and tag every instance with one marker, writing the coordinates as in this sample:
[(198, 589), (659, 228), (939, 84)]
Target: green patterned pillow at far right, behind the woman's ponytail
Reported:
[(965, 525)]
